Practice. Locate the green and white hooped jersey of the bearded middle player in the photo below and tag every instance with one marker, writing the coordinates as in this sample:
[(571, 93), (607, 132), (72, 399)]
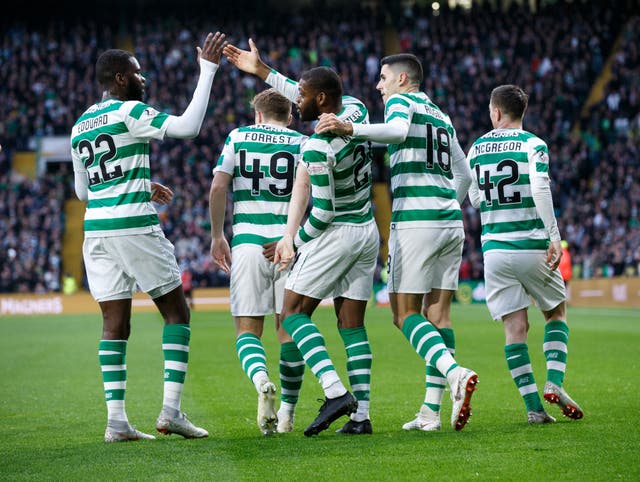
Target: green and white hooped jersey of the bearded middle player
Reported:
[(340, 174)]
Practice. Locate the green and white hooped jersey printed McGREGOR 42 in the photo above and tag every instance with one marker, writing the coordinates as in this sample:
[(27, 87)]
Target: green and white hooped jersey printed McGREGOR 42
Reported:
[(503, 162)]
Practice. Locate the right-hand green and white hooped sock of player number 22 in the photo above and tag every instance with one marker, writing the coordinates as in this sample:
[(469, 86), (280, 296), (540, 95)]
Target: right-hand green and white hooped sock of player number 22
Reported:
[(175, 347)]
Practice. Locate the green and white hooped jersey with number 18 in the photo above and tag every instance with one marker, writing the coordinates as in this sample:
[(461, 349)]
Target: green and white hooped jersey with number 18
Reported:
[(422, 181)]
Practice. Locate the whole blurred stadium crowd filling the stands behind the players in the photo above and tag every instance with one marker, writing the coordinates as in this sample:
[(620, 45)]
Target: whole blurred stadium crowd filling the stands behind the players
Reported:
[(48, 79)]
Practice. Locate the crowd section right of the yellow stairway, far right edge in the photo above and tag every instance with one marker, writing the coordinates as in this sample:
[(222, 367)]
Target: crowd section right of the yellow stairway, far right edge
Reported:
[(599, 211)]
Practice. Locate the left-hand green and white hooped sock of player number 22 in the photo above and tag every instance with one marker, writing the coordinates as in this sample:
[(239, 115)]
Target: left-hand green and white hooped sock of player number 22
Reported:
[(113, 364)]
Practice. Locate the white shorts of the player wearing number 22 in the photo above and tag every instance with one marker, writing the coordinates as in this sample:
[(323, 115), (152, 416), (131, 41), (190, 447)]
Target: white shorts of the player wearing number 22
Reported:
[(115, 264)]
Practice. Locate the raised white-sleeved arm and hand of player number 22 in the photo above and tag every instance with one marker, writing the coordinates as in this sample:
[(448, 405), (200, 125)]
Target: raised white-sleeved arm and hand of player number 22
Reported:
[(189, 123)]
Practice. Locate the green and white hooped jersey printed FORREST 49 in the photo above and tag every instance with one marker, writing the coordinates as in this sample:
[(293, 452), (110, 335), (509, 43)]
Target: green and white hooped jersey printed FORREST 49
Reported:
[(261, 160)]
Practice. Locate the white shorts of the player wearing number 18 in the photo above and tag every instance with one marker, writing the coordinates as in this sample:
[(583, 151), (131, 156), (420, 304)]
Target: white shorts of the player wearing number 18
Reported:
[(423, 259)]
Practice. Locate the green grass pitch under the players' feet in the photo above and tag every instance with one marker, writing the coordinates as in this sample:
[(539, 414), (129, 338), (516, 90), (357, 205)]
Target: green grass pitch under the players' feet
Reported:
[(53, 415)]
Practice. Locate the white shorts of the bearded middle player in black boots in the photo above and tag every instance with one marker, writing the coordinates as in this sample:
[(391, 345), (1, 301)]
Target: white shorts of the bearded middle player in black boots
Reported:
[(338, 264)]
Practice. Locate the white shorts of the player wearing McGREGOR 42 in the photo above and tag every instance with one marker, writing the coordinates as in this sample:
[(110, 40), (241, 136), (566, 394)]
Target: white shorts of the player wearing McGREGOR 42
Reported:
[(511, 277)]
